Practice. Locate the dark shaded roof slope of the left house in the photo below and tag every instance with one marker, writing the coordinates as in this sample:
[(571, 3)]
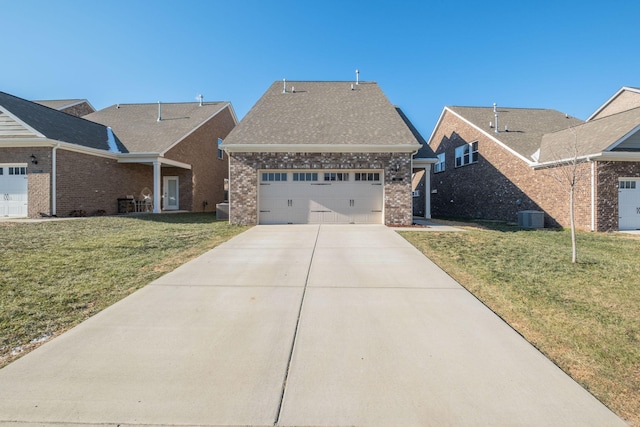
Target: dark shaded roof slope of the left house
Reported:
[(57, 125)]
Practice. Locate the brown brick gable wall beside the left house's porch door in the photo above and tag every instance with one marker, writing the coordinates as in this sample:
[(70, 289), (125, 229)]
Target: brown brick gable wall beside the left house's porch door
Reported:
[(207, 175)]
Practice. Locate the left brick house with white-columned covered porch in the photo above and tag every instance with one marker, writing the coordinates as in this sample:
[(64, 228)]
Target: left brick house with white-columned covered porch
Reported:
[(56, 164)]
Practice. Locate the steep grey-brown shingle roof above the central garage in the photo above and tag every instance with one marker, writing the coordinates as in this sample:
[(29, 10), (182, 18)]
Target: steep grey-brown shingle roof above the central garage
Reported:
[(322, 113)]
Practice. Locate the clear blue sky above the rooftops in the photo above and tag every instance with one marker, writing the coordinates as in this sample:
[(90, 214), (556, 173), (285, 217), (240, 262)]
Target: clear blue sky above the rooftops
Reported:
[(566, 55)]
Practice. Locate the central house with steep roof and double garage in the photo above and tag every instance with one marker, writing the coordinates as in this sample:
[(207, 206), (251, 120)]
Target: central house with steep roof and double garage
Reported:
[(321, 152)]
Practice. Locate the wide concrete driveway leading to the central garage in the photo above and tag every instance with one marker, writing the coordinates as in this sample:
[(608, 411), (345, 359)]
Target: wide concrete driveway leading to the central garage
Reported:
[(297, 326)]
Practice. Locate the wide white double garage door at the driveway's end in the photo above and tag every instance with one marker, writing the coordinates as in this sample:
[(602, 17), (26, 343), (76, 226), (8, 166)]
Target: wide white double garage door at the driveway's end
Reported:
[(320, 197)]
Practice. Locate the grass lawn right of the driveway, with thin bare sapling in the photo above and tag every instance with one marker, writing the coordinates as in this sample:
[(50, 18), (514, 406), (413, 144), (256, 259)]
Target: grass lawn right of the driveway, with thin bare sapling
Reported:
[(584, 317)]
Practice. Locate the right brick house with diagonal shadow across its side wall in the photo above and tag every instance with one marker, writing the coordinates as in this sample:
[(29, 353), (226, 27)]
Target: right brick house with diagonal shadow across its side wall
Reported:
[(494, 162)]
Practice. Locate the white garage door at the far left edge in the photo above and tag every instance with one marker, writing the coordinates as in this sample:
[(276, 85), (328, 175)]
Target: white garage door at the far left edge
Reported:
[(13, 191)]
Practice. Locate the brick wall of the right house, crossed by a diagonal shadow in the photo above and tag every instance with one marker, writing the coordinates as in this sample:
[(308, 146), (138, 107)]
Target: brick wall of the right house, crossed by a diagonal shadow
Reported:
[(500, 184)]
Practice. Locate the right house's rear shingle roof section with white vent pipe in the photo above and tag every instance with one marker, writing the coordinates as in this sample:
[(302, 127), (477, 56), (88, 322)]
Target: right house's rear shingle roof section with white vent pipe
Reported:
[(526, 125)]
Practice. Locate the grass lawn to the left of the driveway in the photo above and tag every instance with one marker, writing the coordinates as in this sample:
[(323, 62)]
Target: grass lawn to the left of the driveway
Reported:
[(55, 274)]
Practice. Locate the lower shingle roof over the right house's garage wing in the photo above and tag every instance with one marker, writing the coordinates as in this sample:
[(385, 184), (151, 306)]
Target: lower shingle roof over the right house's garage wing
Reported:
[(589, 138)]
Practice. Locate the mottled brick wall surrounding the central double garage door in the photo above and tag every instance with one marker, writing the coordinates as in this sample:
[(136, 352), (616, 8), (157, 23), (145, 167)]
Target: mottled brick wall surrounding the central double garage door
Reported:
[(243, 185)]
